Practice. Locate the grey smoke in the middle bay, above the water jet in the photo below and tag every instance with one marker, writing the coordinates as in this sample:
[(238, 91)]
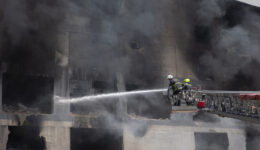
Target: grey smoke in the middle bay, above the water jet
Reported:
[(117, 37)]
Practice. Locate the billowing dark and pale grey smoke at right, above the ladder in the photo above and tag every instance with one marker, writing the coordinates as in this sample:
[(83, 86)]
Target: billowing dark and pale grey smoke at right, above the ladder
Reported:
[(225, 32)]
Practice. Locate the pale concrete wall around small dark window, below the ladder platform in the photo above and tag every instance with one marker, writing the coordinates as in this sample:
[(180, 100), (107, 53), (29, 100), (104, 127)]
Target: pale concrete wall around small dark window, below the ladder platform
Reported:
[(177, 138)]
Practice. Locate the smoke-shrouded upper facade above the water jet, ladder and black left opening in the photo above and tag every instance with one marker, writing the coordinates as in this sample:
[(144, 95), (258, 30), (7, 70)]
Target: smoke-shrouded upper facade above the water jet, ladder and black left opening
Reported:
[(142, 40)]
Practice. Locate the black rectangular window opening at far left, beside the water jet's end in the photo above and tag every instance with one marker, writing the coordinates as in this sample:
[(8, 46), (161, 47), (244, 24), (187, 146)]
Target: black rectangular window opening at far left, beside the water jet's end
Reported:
[(27, 93)]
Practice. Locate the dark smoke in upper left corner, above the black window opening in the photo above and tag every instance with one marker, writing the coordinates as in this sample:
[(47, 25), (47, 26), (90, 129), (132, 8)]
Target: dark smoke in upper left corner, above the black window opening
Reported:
[(28, 35)]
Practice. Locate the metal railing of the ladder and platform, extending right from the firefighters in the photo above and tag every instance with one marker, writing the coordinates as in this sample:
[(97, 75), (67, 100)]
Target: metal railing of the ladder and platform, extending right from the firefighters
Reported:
[(240, 103)]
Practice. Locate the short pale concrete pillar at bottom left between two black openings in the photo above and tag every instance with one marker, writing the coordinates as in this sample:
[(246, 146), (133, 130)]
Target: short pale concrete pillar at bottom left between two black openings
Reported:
[(57, 138)]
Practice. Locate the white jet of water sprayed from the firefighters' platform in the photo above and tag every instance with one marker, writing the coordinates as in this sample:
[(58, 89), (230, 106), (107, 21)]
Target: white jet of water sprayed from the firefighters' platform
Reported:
[(107, 95)]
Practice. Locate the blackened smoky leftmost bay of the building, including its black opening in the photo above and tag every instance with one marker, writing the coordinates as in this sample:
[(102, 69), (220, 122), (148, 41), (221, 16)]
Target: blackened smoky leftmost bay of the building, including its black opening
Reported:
[(29, 41)]
